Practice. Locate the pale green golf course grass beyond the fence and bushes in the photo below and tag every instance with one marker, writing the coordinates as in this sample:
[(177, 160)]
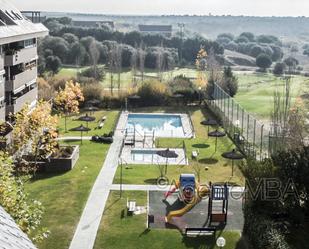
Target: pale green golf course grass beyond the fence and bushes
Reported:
[(255, 89)]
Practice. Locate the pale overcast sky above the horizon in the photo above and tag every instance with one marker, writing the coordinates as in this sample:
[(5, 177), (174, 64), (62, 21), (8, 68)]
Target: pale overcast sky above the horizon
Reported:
[(190, 7)]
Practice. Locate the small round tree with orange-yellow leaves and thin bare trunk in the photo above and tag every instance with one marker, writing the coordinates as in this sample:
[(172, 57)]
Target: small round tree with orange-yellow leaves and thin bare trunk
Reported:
[(68, 99)]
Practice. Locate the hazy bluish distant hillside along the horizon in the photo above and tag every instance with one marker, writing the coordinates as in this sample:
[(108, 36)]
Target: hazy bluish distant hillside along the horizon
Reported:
[(208, 26)]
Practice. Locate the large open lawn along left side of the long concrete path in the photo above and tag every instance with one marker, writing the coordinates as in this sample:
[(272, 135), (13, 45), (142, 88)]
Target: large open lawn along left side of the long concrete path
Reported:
[(64, 195)]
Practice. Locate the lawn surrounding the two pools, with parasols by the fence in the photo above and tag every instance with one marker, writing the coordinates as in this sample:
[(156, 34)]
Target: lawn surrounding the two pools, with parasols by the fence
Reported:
[(219, 169)]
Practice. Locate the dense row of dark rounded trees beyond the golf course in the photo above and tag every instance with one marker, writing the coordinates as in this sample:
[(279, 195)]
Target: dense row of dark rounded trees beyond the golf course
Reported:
[(85, 46)]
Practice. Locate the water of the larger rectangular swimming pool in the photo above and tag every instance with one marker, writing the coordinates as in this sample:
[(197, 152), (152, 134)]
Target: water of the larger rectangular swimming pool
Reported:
[(162, 125)]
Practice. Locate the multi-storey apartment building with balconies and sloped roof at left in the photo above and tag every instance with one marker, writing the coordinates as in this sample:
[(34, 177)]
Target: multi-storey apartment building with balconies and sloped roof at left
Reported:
[(18, 59)]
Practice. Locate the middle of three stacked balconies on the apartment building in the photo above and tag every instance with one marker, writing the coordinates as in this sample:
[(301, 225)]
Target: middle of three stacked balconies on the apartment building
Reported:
[(21, 80)]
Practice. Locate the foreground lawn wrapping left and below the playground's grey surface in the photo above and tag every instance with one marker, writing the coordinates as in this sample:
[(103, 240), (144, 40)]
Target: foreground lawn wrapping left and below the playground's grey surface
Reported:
[(130, 232)]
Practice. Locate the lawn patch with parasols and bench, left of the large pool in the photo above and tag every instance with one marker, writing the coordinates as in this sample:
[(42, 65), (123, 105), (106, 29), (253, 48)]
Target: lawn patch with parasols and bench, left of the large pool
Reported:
[(111, 117)]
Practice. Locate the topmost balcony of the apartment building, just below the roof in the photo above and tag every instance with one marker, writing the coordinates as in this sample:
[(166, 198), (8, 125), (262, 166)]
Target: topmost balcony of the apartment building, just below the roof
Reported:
[(15, 57)]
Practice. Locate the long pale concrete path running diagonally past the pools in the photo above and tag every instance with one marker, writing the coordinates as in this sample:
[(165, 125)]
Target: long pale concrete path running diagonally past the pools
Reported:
[(86, 231)]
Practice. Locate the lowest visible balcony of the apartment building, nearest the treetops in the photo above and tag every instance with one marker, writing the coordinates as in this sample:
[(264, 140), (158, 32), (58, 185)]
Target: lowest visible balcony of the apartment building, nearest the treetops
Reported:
[(18, 103)]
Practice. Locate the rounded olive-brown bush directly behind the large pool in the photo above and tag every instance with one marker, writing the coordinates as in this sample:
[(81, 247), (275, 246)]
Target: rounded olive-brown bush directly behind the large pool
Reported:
[(152, 93)]
